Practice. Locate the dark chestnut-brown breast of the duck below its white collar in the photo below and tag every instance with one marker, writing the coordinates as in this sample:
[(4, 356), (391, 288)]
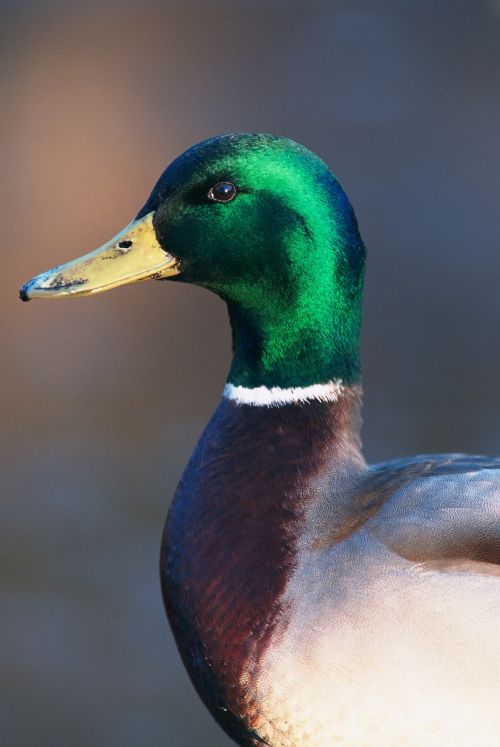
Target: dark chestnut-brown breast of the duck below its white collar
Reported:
[(230, 542)]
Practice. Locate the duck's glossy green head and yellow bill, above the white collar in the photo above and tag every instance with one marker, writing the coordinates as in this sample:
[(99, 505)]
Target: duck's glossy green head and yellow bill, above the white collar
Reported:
[(262, 222)]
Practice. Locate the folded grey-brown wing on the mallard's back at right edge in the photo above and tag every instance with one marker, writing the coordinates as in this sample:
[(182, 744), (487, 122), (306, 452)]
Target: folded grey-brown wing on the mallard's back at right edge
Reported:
[(441, 512)]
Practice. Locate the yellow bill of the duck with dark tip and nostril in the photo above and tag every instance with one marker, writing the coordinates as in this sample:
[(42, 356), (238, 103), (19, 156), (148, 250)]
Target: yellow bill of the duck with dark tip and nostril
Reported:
[(131, 256)]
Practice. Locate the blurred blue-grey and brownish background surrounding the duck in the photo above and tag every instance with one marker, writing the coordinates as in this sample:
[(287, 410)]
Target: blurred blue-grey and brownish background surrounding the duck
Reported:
[(104, 398)]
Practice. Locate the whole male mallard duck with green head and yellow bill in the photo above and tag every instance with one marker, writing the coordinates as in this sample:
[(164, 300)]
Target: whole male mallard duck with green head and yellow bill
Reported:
[(315, 600)]
